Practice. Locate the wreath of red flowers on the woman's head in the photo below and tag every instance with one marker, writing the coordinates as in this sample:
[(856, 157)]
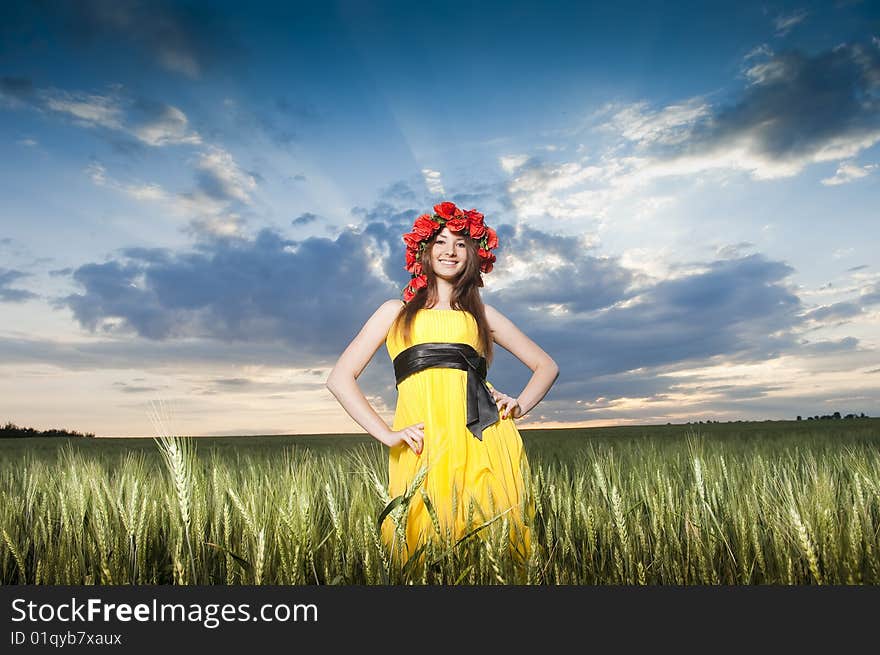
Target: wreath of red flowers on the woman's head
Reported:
[(446, 214)]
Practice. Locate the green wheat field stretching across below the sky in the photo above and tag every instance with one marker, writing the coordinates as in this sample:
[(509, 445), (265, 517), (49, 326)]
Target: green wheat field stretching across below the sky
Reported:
[(782, 502)]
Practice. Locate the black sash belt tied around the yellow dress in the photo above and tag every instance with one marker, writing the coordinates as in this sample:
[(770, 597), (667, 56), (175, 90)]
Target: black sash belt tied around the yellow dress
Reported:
[(481, 408)]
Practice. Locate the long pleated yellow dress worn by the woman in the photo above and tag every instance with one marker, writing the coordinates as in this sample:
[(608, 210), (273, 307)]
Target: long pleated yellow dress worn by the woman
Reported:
[(456, 467)]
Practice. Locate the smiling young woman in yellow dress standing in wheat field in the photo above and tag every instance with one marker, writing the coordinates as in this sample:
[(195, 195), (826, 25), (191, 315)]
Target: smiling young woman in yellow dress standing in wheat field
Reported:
[(453, 433)]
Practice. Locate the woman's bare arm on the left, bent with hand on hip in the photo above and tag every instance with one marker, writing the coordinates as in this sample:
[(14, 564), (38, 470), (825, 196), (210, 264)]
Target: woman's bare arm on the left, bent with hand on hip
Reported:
[(342, 381)]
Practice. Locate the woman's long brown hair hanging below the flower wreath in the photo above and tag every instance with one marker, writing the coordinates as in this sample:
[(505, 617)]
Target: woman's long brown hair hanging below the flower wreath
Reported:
[(465, 296)]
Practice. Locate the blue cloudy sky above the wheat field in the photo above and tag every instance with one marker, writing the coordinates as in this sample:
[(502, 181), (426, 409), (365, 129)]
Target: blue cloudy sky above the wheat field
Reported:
[(203, 202)]
